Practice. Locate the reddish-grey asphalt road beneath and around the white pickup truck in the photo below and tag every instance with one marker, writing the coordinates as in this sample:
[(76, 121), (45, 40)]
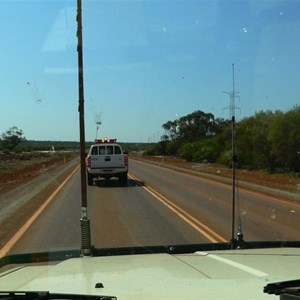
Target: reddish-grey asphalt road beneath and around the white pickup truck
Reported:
[(158, 206)]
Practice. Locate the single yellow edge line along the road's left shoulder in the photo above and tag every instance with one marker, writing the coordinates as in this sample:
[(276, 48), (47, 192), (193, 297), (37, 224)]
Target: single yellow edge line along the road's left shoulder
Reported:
[(23, 229)]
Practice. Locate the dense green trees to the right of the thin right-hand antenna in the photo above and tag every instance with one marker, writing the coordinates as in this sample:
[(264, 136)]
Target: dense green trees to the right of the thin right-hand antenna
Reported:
[(270, 140)]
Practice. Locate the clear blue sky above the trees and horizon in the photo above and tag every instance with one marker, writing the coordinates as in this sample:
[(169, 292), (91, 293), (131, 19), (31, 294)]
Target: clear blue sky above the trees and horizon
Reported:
[(145, 63)]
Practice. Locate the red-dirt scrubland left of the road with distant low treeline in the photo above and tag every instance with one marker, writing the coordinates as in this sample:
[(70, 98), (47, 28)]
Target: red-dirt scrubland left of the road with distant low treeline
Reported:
[(21, 158)]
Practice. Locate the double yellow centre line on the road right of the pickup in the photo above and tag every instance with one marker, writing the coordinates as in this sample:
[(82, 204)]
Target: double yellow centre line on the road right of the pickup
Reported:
[(203, 229)]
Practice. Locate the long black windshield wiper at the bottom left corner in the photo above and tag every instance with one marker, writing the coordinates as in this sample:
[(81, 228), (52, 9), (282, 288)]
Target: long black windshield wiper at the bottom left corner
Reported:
[(17, 295)]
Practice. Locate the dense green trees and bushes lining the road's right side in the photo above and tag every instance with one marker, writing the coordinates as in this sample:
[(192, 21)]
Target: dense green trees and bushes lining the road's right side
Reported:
[(268, 140)]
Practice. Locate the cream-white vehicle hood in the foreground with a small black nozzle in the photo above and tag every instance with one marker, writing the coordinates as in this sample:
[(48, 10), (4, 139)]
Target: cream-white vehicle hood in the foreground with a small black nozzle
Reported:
[(230, 274)]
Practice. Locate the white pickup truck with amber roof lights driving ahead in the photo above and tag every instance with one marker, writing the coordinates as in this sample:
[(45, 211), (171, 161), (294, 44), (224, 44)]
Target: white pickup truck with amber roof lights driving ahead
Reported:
[(106, 159)]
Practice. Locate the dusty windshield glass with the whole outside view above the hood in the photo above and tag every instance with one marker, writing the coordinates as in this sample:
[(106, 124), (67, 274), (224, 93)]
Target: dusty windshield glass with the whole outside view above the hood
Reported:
[(190, 129)]
